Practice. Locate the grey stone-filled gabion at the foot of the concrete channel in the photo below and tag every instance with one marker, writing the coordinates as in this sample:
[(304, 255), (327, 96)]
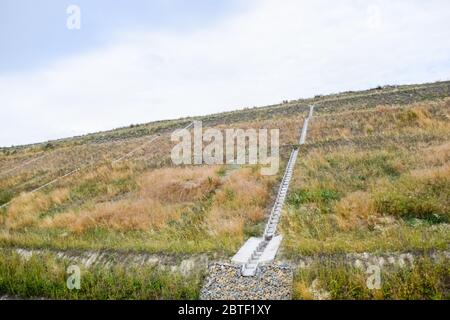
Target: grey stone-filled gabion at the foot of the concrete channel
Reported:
[(224, 282)]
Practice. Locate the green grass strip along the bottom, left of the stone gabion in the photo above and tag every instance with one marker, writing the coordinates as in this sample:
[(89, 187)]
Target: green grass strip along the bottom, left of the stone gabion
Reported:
[(45, 276)]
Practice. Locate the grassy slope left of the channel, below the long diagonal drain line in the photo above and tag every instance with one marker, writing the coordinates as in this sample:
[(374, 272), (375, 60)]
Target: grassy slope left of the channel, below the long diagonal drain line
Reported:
[(192, 209)]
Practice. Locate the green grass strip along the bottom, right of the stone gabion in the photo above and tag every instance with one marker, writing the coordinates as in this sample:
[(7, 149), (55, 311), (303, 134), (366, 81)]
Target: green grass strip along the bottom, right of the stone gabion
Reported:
[(424, 280)]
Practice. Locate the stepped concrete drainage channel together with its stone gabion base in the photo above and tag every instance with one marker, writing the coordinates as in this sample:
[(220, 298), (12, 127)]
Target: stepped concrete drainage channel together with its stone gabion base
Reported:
[(252, 273)]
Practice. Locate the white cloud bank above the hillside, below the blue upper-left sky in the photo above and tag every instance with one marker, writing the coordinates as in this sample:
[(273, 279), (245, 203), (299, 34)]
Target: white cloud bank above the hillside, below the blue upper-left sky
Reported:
[(272, 51)]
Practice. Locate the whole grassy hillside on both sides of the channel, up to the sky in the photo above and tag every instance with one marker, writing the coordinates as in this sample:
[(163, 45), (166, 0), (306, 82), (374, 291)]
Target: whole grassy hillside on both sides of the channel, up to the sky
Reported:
[(374, 176)]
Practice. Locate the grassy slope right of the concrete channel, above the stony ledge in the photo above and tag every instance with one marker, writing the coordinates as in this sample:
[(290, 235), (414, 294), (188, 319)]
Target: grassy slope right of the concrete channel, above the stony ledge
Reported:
[(372, 195)]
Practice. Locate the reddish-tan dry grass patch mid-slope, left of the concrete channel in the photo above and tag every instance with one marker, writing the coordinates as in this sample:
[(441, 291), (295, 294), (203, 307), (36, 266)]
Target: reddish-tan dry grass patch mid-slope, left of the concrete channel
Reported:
[(162, 196)]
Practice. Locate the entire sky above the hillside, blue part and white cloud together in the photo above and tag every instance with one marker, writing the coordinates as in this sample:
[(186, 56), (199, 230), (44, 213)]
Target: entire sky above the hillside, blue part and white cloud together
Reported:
[(137, 61)]
